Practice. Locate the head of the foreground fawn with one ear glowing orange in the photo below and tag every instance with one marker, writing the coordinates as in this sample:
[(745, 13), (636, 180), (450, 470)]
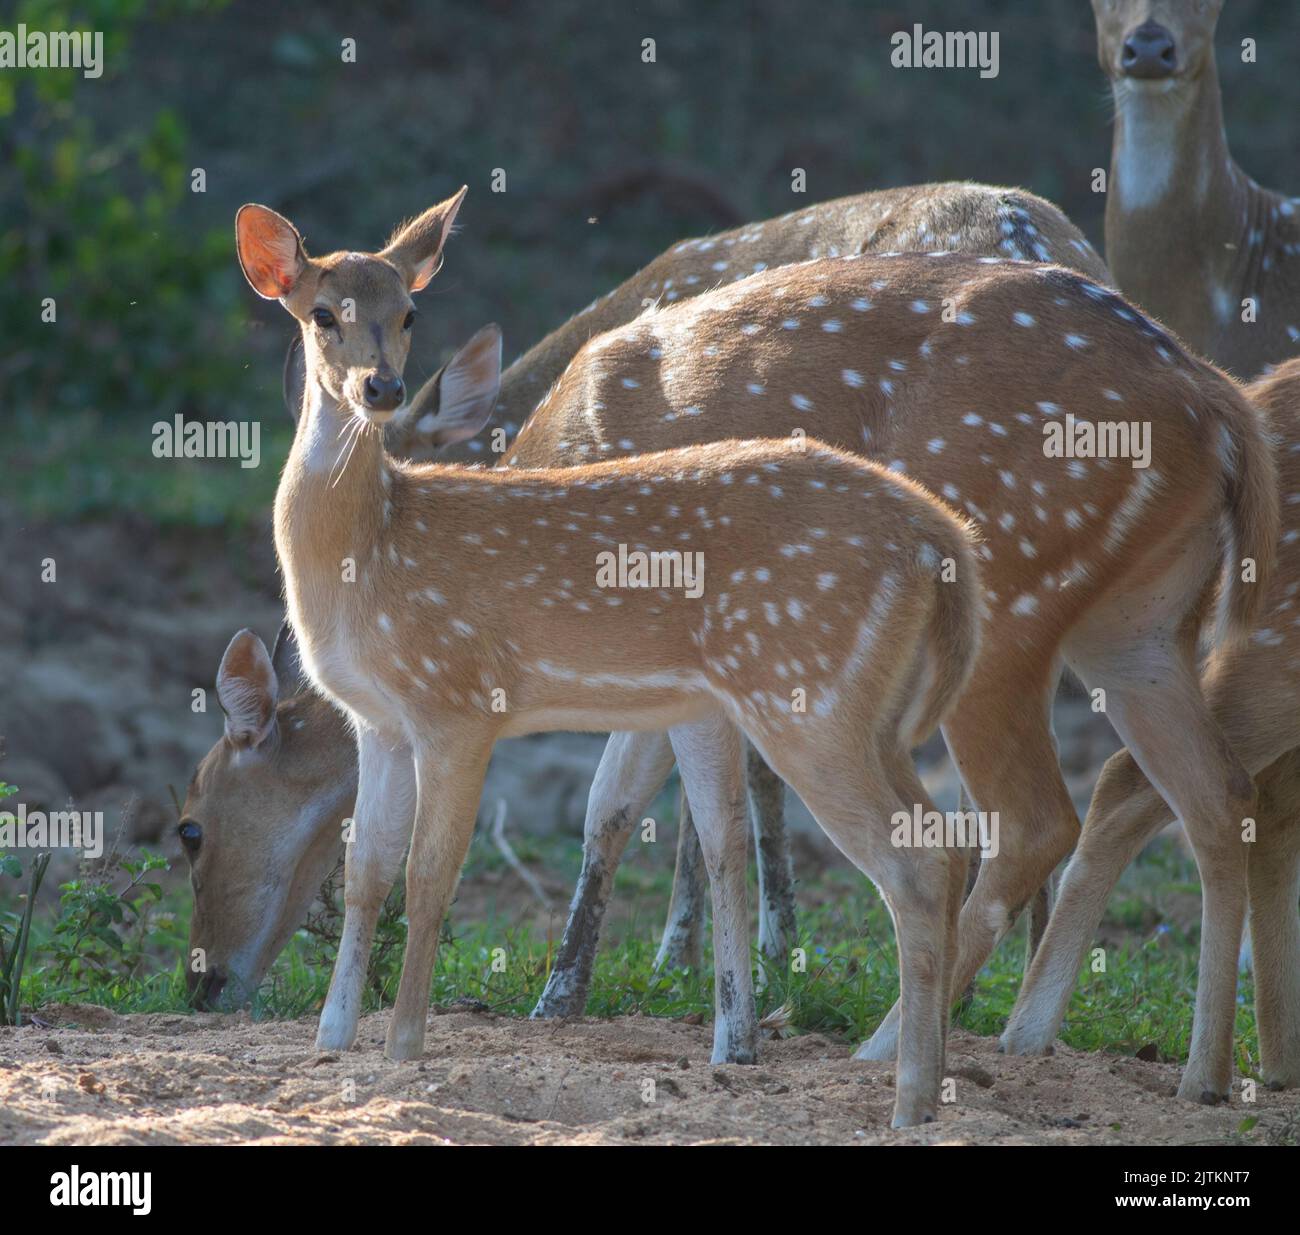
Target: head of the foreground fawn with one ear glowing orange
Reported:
[(356, 310)]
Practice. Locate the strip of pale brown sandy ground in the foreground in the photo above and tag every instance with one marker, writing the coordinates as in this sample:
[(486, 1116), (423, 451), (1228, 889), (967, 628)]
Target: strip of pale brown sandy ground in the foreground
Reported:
[(97, 1078)]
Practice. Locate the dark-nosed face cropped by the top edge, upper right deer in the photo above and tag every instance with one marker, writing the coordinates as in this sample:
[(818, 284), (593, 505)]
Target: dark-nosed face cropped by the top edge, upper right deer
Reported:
[(1155, 45)]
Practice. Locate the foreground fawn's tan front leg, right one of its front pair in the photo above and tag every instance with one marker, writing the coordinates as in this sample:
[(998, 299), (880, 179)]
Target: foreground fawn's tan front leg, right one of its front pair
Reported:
[(450, 770)]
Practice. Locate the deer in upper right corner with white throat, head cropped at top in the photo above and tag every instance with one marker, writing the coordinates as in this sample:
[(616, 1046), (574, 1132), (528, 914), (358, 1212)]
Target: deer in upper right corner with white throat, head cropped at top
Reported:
[(1189, 235)]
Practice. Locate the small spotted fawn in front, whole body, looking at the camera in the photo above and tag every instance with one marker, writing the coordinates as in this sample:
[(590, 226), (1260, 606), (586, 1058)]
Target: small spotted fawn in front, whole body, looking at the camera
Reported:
[(443, 608)]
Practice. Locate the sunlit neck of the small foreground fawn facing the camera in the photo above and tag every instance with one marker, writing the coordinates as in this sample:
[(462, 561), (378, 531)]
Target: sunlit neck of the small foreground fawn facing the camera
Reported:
[(332, 504)]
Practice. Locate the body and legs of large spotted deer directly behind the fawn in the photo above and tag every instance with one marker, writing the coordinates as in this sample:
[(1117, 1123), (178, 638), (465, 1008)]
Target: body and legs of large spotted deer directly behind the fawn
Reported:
[(954, 371)]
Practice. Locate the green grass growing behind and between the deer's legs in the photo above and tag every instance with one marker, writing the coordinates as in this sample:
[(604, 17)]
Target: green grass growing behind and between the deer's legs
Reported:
[(847, 983)]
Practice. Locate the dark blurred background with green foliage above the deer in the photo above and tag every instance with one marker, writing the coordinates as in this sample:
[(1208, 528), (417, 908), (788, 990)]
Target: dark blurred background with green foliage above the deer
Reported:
[(608, 161)]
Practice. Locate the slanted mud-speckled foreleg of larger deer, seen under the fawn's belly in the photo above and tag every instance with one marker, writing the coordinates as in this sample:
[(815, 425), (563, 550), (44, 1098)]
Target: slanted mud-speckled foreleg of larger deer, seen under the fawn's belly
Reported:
[(632, 772)]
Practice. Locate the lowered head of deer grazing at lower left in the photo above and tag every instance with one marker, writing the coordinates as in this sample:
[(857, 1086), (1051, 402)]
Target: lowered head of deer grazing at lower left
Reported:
[(262, 824)]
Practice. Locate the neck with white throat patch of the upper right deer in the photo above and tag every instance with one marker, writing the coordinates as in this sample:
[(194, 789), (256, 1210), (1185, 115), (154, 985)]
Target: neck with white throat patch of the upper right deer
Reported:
[(1178, 206)]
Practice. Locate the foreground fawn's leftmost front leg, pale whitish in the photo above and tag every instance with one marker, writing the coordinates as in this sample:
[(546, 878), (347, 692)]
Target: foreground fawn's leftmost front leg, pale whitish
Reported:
[(382, 830)]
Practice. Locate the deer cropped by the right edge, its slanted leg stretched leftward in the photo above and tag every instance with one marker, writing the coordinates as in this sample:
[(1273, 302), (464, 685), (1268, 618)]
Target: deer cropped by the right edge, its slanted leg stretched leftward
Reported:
[(1254, 690)]
